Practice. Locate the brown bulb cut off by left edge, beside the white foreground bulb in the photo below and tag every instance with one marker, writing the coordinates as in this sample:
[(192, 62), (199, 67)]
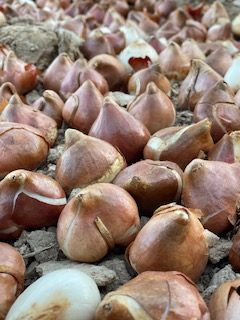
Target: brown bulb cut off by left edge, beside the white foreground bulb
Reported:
[(12, 268)]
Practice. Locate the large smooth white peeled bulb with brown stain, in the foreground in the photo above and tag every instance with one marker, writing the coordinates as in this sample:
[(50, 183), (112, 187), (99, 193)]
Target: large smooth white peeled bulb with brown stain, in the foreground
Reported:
[(64, 294)]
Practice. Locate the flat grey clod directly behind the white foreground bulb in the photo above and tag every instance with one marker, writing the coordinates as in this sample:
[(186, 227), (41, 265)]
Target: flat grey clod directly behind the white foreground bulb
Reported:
[(100, 274)]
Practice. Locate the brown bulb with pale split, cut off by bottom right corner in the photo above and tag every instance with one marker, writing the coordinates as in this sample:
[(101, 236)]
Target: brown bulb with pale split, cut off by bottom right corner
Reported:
[(224, 303)]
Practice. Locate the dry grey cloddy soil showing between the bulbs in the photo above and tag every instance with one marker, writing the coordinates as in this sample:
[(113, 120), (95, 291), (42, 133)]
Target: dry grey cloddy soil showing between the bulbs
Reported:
[(40, 45)]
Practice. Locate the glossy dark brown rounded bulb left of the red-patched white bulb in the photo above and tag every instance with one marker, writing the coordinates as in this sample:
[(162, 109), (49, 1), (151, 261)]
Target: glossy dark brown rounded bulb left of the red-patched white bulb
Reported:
[(111, 69)]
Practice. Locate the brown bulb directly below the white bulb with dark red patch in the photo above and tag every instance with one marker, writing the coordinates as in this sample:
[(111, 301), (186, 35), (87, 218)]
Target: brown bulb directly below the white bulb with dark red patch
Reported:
[(138, 82)]
